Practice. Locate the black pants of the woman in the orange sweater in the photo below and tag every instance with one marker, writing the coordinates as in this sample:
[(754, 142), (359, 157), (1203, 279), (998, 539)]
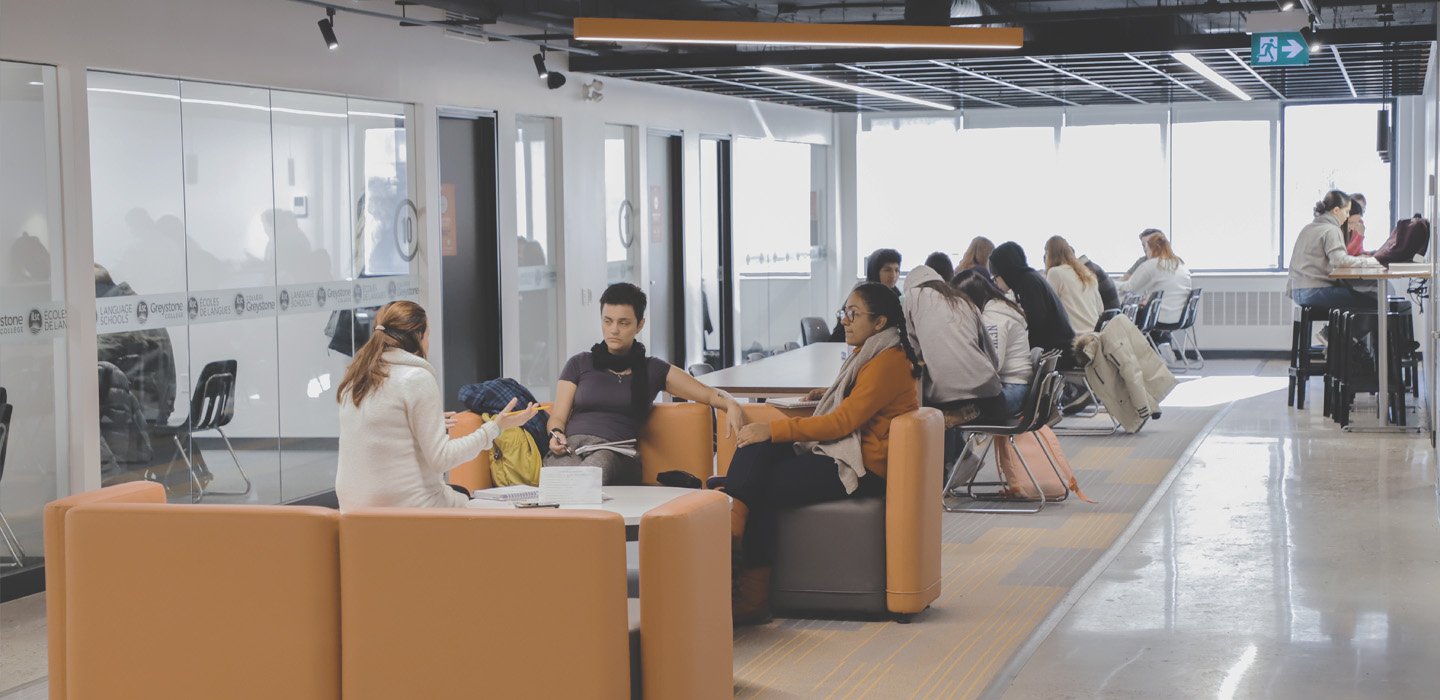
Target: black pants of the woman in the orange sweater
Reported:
[(768, 477)]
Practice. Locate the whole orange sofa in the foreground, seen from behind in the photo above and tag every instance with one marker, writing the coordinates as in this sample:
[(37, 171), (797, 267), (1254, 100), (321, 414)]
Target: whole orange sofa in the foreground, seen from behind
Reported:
[(165, 601)]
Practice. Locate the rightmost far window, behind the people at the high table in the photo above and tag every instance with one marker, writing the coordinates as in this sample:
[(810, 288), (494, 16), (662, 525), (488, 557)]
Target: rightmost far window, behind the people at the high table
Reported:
[(1333, 148)]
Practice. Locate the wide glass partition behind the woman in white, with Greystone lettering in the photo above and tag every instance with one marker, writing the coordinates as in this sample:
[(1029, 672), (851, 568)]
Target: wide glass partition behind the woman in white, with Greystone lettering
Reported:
[(244, 240)]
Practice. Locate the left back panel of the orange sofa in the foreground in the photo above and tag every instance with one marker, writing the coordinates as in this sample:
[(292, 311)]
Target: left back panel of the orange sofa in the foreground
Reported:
[(202, 601)]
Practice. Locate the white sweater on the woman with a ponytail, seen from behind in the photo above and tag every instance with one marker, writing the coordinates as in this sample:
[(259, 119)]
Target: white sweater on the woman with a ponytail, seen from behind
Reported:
[(394, 449)]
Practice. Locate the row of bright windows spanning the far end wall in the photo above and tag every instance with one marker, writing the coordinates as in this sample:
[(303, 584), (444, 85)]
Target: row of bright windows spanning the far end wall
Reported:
[(1209, 175)]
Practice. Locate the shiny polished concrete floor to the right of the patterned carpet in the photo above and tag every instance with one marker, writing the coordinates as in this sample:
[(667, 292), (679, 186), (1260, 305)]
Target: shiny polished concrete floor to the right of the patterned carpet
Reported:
[(1290, 560)]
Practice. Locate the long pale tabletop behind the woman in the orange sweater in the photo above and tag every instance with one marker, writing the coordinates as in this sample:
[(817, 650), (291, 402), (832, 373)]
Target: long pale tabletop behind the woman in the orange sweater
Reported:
[(793, 374)]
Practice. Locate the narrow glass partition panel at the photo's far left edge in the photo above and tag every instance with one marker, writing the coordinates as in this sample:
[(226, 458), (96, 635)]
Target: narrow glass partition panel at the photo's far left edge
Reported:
[(34, 387)]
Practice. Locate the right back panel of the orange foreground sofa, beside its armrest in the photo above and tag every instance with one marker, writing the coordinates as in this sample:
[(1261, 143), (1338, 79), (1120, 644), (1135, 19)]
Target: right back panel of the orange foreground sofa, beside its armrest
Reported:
[(444, 603)]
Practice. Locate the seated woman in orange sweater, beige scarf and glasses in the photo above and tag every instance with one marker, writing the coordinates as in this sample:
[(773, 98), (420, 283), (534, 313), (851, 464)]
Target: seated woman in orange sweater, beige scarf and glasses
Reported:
[(839, 453)]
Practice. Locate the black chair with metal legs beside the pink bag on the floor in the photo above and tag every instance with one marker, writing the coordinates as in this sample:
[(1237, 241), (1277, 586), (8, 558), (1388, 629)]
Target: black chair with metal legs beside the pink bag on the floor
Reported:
[(1042, 407)]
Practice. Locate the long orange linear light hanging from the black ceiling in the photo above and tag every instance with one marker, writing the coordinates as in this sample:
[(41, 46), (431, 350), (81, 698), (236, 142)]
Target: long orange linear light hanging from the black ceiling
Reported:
[(796, 34)]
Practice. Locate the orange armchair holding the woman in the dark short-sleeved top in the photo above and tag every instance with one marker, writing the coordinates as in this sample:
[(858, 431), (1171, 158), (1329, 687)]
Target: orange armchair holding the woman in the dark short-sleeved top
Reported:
[(678, 437)]
